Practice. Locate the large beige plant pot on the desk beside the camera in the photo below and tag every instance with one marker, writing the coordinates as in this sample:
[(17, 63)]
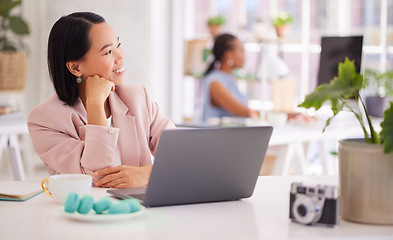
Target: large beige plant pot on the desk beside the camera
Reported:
[(366, 182)]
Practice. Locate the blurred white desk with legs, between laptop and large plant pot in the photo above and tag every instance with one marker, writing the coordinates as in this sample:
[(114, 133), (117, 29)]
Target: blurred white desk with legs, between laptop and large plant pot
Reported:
[(292, 139)]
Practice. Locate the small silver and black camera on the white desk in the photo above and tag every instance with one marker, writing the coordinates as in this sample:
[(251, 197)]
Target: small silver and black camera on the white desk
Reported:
[(314, 204)]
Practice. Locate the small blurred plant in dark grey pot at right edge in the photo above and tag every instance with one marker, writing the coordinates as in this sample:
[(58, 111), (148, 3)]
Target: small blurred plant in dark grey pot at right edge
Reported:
[(382, 85)]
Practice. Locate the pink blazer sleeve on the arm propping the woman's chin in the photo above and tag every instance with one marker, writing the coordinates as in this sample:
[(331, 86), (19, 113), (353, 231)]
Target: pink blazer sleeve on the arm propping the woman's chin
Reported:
[(66, 145)]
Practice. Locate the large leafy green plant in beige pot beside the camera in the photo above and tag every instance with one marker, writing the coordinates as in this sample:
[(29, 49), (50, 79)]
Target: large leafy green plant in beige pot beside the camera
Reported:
[(365, 165)]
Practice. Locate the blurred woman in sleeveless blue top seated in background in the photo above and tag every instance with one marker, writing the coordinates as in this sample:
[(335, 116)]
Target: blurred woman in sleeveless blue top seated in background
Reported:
[(221, 95)]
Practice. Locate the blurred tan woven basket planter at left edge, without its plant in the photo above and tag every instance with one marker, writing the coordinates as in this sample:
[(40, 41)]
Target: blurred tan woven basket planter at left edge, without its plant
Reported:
[(13, 67)]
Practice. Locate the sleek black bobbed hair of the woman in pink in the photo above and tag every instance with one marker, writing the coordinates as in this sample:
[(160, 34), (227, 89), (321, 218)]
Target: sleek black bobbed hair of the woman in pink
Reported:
[(69, 41)]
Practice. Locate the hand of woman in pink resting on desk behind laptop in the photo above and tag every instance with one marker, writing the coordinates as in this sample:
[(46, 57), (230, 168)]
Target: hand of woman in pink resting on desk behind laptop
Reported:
[(123, 176)]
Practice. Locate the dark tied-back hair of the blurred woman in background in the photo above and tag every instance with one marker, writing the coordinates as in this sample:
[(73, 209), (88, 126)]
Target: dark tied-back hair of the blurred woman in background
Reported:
[(222, 44)]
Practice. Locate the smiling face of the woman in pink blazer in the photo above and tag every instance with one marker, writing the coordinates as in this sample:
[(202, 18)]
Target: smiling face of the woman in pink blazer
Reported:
[(105, 56)]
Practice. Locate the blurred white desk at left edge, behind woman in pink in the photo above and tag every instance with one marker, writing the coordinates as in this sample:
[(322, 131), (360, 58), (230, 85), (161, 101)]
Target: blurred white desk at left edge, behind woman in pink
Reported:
[(9, 139)]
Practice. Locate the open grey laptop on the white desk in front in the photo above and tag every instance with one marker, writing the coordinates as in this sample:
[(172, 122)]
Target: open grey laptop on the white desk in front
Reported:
[(203, 165)]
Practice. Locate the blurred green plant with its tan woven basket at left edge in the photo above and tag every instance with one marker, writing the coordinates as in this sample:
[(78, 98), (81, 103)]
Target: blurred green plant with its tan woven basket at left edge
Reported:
[(13, 58)]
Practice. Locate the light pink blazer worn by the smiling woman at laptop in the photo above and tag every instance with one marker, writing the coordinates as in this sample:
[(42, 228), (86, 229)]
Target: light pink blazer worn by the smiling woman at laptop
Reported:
[(67, 144)]
